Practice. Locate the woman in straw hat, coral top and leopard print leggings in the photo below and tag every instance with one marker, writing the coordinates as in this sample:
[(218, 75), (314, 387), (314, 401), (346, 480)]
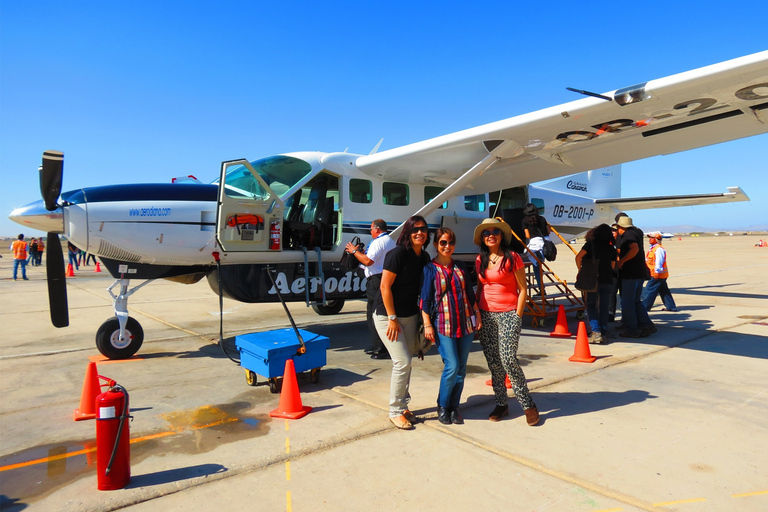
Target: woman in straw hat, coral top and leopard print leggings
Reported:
[(501, 292)]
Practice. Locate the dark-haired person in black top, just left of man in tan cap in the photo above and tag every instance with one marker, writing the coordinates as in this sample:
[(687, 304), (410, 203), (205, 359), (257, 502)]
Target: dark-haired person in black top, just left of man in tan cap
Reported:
[(599, 245)]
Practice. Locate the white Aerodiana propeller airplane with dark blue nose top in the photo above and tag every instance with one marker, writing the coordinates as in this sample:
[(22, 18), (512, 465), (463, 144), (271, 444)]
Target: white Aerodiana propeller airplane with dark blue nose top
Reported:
[(281, 223)]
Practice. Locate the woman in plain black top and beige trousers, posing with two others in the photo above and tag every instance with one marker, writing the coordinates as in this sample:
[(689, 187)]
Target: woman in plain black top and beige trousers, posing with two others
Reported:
[(397, 312)]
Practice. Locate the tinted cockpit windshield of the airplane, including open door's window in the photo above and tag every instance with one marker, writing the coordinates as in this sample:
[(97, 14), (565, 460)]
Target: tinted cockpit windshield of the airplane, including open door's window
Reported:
[(279, 172)]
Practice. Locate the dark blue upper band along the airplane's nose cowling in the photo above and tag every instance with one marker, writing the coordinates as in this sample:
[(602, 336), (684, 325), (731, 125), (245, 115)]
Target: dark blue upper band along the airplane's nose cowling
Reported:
[(143, 192)]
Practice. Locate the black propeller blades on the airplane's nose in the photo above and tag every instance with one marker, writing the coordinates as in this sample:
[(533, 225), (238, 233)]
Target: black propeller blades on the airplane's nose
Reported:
[(51, 174)]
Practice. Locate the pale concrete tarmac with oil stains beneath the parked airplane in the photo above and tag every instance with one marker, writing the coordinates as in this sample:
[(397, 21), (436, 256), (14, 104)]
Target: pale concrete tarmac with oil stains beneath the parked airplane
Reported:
[(677, 421)]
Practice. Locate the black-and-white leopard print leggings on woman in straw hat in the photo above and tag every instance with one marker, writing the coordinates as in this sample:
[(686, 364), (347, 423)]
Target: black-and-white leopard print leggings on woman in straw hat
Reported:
[(499, 337)]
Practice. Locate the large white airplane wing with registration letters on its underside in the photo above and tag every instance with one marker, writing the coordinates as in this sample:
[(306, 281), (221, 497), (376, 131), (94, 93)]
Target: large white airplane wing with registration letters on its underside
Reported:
[(717, 103)]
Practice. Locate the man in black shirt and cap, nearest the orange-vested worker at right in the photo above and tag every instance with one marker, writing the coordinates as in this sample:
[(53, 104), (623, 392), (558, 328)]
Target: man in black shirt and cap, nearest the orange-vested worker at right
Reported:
[(632, 270)]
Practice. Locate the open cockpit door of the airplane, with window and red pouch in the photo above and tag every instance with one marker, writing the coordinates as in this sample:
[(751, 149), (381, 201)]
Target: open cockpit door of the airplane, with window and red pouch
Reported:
[(249, 216)]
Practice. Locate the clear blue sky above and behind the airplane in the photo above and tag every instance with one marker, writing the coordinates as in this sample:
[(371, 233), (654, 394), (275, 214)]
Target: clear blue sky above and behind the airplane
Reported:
[(146, 91)]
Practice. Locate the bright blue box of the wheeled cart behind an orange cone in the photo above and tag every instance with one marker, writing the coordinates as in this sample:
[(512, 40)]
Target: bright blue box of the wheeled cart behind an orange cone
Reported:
[(265, 353)]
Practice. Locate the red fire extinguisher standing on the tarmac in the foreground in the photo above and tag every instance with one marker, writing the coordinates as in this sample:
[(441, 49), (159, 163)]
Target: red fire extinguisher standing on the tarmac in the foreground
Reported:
[(113, 452)]
